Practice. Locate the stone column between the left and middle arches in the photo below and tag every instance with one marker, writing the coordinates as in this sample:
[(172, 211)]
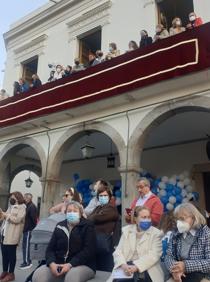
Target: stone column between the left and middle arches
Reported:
[(50, 189)]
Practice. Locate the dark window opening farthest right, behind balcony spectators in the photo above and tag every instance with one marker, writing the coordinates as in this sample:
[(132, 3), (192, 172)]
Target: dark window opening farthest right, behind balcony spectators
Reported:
[(169, 9)]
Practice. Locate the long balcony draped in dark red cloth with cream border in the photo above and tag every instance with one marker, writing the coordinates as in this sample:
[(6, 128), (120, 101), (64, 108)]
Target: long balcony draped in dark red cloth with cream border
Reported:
[(109, 83)]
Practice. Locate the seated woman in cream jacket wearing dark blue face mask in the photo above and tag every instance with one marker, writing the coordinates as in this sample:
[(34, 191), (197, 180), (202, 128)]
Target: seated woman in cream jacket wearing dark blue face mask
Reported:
[(137, 257)]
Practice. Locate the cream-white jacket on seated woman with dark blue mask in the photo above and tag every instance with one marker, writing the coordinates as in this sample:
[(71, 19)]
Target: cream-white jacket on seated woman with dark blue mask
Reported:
[(149, 251)]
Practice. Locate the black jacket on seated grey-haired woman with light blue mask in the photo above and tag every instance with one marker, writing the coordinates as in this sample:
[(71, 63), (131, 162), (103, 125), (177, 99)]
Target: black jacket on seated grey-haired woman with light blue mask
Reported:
[(78, 249)]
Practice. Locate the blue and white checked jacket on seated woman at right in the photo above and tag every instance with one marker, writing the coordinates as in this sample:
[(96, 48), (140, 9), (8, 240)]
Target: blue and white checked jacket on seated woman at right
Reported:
[(199, 255)]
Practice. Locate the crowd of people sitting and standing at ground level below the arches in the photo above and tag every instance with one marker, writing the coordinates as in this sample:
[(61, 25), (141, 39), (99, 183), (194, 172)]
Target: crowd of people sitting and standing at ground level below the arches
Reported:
[(153, 247)]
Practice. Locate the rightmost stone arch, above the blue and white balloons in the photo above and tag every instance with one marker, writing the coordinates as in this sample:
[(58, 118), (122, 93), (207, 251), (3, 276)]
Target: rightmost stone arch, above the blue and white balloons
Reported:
[(159, 115)]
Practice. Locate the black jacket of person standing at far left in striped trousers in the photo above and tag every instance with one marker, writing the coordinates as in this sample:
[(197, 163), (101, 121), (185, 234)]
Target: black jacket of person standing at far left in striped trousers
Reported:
[(31, 217)]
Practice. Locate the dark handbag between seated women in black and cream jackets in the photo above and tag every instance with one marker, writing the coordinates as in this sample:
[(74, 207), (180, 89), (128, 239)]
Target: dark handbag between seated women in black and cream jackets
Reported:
[(104, 243)]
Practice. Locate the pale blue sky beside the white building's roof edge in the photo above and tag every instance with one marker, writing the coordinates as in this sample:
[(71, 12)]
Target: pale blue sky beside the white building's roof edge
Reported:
[(11, 11)]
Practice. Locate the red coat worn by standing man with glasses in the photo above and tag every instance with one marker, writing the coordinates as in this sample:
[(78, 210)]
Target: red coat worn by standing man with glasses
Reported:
[(155, 206)]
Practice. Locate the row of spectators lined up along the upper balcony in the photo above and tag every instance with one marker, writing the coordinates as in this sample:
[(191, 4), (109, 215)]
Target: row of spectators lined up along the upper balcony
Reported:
[(58, 71)]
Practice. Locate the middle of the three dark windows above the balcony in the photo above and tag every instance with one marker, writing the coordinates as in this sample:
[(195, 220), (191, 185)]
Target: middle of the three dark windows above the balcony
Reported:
[(89, 42)]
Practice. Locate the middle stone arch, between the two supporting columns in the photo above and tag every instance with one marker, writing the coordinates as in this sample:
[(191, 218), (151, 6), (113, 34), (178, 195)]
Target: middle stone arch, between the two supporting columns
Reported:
[(72, 134)]
